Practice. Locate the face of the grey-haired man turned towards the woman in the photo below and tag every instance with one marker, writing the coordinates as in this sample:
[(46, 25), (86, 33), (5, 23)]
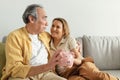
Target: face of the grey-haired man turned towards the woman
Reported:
[(41, 23)]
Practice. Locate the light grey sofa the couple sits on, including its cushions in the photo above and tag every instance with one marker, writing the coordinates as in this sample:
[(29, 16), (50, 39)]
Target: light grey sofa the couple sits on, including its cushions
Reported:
[(105, 50)]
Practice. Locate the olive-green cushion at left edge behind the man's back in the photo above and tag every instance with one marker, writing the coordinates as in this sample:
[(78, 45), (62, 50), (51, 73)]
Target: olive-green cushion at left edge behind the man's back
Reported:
[(2, 57)]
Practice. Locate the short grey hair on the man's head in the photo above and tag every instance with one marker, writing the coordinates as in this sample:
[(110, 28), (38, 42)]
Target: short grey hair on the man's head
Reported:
[(31, 10)]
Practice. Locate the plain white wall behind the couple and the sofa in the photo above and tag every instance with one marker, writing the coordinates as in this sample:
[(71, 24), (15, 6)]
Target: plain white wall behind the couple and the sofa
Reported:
[(90, 17)]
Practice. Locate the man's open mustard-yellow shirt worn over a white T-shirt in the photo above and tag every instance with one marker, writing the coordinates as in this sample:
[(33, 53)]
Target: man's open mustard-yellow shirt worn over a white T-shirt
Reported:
[(18, 53)]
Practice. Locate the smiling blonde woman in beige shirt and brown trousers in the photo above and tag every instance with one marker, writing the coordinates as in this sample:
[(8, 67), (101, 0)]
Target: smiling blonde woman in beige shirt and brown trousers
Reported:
[(83, 68)]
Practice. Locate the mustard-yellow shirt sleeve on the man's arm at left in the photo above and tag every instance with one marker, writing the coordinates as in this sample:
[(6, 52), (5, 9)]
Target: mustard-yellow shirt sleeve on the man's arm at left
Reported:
[(15, 64)]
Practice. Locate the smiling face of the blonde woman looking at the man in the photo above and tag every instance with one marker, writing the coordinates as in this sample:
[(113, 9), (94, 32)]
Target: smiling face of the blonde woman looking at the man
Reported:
[(57, 29)]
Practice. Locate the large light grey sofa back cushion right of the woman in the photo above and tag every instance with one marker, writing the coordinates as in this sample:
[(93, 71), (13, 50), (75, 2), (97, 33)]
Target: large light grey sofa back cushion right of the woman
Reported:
[(104, 50)]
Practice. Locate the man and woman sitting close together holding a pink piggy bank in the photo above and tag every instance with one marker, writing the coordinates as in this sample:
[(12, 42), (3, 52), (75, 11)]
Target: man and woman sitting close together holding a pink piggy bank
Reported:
[(33, 54)]
